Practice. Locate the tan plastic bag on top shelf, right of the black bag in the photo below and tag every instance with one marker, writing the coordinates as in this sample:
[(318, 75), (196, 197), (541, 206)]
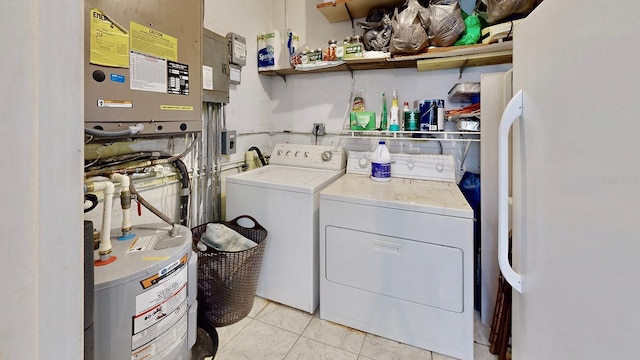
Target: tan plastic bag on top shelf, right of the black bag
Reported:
[(409, 35)]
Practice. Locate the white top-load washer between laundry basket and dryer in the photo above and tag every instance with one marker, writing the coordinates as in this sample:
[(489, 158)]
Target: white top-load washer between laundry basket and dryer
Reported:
[(284, 197)]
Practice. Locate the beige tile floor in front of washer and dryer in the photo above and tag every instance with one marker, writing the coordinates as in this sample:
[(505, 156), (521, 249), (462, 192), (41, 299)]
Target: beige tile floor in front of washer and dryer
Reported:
[(278, 332)]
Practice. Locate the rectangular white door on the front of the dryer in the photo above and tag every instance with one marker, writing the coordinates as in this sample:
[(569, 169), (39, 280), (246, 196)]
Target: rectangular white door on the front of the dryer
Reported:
[(414, 271)]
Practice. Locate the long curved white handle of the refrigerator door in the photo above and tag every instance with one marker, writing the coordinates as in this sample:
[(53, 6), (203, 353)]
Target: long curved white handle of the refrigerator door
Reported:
[(512, 112)]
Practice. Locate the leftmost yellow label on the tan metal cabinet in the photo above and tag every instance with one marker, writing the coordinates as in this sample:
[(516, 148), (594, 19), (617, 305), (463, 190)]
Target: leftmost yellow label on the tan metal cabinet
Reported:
[(108, 41)]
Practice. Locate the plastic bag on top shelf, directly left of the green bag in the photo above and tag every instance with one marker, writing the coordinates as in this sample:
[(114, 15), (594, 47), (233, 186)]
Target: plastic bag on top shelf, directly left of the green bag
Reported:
[(446, 22)]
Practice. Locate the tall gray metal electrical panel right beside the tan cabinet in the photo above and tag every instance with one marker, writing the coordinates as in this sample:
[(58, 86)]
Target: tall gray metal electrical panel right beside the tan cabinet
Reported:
[(215, 67)]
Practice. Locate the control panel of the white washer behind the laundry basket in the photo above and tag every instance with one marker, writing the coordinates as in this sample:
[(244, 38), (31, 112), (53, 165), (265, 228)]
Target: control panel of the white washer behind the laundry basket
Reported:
[(309, 156)]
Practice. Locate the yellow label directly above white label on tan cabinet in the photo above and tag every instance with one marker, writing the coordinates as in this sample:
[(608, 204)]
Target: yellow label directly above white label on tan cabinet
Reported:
[(153, 42)]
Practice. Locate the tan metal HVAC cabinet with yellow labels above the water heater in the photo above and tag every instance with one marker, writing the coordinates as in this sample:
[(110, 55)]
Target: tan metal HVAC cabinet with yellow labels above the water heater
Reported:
[(143, 65)]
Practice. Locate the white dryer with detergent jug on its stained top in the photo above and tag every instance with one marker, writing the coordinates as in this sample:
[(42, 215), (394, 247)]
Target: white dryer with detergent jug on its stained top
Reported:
[(396, 258)]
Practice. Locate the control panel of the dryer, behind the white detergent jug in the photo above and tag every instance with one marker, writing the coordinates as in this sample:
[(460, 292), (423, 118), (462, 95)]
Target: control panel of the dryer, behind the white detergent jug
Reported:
[(433, 167)]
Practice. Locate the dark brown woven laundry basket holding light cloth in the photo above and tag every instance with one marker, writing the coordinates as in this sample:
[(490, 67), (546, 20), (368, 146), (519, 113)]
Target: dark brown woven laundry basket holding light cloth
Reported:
[(227, 280)]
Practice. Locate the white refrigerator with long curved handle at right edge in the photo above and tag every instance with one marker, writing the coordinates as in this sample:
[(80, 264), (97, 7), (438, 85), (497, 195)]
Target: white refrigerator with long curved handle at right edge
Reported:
[(575, 265)]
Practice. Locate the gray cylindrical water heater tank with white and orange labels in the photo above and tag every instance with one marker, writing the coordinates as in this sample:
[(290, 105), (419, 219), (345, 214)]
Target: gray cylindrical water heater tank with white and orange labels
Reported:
[(145, 301)]
